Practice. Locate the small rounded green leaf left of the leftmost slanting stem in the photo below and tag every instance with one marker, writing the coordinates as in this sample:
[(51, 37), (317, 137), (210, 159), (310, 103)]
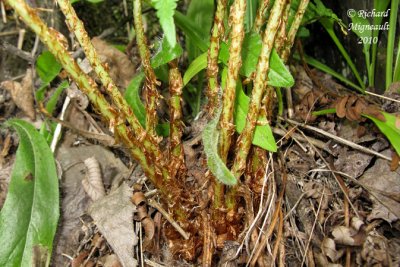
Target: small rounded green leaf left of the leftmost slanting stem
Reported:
[(47, 67)]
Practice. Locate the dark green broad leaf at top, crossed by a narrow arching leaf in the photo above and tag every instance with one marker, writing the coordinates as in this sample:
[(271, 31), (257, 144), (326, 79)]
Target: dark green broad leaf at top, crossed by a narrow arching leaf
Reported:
[(201, 14)]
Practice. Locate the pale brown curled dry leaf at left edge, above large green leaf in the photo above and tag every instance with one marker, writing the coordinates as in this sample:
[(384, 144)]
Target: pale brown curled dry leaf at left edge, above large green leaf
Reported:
[(22, 94)]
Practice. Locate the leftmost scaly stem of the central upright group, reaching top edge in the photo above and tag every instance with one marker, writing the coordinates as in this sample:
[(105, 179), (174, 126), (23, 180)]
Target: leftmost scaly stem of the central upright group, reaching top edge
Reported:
[(212, 60)]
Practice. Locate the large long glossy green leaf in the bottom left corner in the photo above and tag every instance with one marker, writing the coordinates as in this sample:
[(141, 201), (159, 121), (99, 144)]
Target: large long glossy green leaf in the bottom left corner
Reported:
[(28, 220)]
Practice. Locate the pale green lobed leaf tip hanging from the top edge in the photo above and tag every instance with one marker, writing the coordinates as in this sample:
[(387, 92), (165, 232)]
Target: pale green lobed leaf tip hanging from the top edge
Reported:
[(165, 12)]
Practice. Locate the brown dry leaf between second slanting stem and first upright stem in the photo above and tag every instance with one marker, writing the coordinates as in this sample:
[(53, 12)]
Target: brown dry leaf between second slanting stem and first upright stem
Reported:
[(120, 67)]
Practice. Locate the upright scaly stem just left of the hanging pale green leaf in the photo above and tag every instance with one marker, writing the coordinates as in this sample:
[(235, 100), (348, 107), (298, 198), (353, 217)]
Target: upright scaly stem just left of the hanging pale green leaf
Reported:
[(151, 94)]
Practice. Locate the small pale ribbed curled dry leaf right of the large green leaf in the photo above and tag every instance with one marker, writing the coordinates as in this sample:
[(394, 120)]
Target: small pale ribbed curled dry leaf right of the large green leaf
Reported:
[(93, 182)]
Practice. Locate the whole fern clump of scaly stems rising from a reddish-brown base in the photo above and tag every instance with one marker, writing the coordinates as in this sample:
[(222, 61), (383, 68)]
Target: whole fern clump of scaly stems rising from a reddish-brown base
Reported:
[(244, 60)]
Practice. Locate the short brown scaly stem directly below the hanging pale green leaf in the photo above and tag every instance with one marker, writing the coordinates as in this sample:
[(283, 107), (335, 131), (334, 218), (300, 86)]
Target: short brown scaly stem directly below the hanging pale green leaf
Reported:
[(176, 153)]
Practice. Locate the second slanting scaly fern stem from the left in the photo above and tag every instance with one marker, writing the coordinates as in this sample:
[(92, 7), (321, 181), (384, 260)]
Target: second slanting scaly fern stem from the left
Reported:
[(76, 26)]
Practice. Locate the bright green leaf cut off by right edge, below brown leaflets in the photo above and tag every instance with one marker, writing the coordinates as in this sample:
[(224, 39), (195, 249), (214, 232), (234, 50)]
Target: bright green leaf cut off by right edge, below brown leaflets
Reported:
[(390, 128)]
